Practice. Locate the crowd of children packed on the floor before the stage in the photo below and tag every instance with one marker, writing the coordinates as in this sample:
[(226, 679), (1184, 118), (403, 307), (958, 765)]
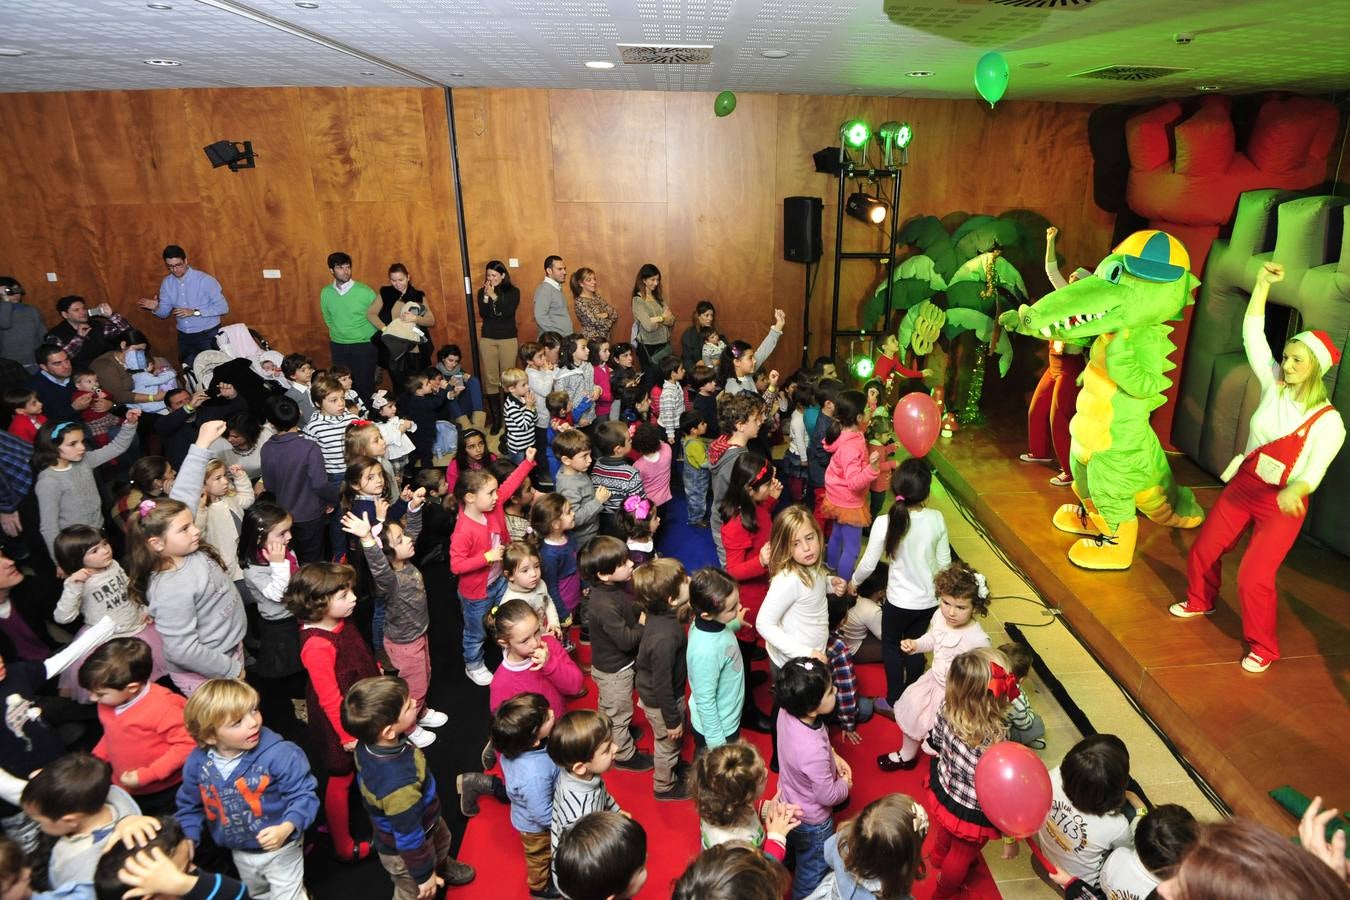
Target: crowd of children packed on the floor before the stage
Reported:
[(290, 569)]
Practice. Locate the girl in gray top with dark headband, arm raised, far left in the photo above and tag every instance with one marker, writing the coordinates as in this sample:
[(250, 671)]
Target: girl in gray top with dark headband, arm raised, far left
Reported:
[(67, 492)]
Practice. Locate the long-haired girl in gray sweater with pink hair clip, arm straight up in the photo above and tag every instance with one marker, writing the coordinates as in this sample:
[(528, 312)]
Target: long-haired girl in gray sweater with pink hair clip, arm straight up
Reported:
[(183, 580)]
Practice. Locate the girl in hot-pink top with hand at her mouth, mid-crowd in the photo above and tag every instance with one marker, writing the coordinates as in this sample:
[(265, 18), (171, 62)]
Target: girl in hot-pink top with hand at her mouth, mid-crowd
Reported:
[(533, 662)]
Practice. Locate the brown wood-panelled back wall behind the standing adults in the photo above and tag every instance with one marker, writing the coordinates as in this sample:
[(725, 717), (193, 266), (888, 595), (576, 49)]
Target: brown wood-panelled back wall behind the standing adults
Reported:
[(610, 180)]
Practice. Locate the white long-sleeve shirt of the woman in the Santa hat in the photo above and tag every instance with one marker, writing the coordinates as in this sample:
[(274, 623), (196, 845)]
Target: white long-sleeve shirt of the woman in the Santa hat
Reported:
[(1279, 415)]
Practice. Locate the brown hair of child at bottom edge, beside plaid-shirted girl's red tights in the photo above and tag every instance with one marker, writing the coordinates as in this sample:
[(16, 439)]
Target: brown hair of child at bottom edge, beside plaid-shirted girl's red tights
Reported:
[(884, 845)]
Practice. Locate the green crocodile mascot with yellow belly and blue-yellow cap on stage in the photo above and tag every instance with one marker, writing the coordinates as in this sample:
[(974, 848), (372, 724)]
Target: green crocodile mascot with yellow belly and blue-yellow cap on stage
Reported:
[(1117, 462)]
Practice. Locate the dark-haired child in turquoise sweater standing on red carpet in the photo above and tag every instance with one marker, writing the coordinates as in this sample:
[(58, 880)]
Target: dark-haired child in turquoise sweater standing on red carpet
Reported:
[(716, 681)]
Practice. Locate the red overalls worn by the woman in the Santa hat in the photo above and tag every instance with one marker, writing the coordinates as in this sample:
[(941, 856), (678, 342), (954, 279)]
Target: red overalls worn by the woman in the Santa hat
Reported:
[(1248, 500)]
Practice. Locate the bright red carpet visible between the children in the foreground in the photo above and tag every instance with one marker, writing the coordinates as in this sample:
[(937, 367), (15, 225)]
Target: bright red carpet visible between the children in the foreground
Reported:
[(493, 847)]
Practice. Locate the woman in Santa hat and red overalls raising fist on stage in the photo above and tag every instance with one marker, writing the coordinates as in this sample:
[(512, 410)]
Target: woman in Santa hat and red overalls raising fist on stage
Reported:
[(1294, 437)]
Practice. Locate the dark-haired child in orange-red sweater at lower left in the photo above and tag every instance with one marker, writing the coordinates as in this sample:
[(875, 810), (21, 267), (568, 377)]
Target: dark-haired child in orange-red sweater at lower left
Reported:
[(144, 735)]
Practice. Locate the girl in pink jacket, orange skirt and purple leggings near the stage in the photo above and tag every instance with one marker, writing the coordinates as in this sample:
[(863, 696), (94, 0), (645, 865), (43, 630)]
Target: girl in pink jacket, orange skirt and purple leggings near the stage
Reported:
[(847, 481)]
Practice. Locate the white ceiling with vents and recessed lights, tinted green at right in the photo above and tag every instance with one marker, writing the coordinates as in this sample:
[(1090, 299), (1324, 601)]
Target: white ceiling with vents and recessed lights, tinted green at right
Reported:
[(834, 47)]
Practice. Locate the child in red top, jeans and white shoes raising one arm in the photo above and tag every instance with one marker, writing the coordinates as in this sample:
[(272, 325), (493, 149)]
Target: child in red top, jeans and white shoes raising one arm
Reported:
[(476, 555)]
